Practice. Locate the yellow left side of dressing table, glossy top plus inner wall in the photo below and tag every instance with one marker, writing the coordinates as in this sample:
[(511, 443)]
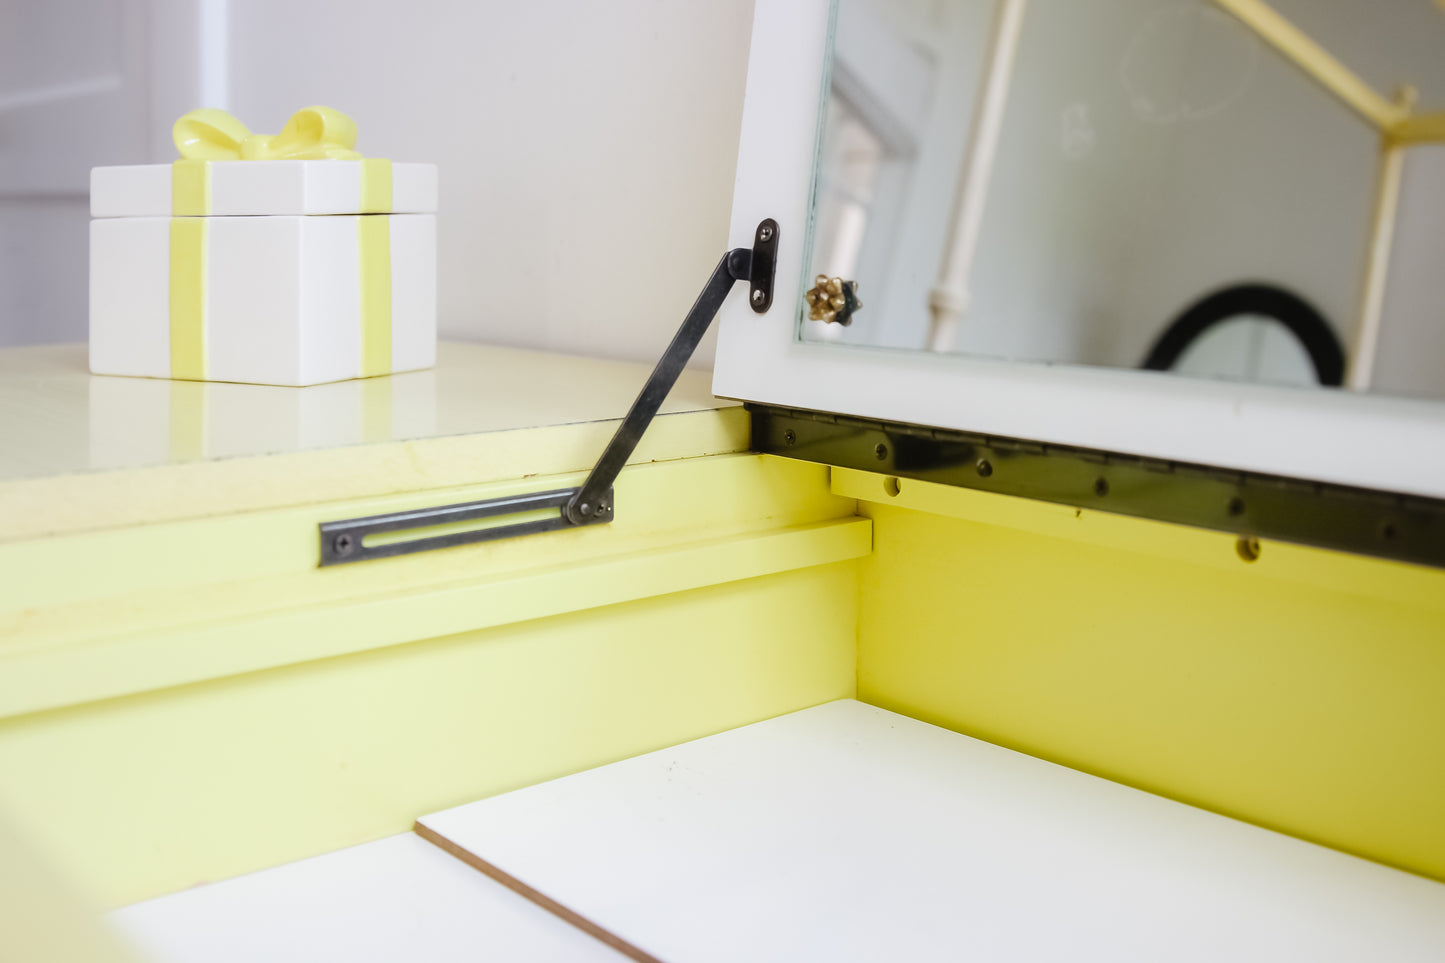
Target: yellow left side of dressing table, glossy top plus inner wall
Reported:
[(186, 696)]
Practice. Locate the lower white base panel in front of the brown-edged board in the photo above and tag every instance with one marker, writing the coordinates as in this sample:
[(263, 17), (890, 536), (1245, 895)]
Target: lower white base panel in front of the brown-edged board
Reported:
[(400, 899)]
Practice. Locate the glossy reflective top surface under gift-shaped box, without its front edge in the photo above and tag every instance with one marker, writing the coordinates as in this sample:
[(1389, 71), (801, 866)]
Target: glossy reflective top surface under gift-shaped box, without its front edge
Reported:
[(60, 419)]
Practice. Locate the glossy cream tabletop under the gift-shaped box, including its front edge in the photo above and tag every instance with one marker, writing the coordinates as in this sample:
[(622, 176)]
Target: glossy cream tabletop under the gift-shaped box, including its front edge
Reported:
[(82, 452)]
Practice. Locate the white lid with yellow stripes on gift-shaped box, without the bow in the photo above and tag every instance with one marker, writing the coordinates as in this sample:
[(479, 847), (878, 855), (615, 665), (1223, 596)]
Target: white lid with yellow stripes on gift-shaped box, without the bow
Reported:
[(267, 187)]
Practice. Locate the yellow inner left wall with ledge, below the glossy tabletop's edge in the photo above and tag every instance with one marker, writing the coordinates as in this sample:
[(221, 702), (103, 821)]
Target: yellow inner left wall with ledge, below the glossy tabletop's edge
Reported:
[(196, 701)]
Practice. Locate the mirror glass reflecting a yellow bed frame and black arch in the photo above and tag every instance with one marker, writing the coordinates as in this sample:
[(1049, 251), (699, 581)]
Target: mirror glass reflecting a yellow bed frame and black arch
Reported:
[(1083, 183)]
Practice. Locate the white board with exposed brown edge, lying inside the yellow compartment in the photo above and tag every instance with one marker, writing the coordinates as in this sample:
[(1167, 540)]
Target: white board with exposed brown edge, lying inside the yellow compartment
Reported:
[(852, 834)]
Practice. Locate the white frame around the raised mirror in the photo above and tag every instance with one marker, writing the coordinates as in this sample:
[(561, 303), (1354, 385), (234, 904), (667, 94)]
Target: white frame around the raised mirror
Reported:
[(1324, 436)]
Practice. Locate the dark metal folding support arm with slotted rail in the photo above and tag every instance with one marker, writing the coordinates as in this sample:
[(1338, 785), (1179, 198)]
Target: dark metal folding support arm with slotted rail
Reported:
[(593, 502)]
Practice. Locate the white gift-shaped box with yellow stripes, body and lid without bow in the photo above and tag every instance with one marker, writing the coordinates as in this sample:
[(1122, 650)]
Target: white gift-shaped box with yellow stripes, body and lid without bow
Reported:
[(282, 281)]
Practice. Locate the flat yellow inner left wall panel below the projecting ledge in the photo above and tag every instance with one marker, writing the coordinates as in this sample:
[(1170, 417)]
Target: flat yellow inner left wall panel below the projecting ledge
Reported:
[(148, 795)]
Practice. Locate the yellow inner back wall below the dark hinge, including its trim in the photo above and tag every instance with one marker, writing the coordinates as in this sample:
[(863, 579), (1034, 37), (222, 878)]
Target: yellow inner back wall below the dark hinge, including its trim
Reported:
[(1300, 692)]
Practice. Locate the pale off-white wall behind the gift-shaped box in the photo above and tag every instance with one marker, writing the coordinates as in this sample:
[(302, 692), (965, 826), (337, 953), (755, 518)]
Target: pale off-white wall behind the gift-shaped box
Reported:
[(586, 150)]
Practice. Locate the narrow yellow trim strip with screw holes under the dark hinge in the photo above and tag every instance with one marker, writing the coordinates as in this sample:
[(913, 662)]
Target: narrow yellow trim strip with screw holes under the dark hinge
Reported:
[(1333, 572)]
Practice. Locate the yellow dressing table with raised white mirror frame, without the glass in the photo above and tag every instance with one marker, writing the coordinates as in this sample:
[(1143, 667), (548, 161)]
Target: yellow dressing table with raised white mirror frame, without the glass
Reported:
[(187, 696)]
